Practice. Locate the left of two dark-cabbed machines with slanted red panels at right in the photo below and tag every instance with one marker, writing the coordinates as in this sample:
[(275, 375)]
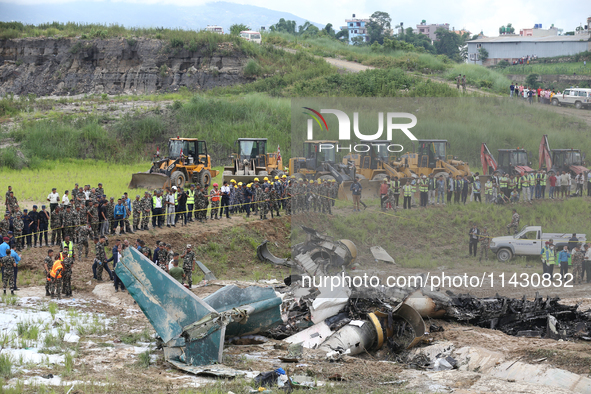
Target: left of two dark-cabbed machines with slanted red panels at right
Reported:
[(511, 161)]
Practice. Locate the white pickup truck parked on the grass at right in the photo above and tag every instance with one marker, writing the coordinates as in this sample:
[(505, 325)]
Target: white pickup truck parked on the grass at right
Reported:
[(529, 242)]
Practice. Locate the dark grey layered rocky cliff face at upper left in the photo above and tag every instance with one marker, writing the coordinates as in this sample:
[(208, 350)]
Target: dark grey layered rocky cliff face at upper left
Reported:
[(46, 66)]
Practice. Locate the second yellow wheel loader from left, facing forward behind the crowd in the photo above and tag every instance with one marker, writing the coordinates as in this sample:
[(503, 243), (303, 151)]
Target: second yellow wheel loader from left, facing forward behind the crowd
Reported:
[(252, 160)]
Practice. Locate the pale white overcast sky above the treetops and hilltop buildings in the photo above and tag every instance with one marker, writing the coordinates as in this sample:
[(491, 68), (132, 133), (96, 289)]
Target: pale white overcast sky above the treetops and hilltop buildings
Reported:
[(475, 16)]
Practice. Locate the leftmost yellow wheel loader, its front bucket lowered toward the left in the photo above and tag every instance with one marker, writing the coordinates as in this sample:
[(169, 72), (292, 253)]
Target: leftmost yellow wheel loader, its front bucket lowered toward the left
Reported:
[(187, 161)]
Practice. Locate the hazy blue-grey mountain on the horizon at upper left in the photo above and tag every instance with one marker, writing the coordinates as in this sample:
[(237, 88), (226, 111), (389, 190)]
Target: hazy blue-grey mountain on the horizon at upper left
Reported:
[(147, 15)]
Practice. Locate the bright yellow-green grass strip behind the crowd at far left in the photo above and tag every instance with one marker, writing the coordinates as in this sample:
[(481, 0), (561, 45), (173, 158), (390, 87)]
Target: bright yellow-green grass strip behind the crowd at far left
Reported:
[(33, 185)]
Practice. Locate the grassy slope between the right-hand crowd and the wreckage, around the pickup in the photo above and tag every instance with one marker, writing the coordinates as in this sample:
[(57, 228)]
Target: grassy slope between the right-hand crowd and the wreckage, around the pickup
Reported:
[(438, 236)]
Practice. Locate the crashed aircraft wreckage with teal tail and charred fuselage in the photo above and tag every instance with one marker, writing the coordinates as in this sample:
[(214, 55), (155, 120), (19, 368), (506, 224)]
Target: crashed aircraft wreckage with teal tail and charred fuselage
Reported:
[(337, 321)]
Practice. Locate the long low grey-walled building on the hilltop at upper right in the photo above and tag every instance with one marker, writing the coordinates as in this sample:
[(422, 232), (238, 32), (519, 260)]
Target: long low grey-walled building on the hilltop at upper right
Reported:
[(514, 47)]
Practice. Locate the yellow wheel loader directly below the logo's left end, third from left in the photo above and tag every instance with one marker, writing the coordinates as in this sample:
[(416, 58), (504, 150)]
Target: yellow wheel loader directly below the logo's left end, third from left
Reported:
[(319, 161)]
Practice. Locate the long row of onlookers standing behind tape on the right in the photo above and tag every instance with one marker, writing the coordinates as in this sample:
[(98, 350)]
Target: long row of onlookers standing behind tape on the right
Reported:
[(498, 189)]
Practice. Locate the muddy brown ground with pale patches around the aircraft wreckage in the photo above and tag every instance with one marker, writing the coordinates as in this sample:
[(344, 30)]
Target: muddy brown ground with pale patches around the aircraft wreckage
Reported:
[(106, 362)]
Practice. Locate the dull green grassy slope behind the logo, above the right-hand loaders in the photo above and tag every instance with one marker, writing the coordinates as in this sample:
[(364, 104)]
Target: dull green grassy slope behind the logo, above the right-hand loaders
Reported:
[(466, 123)]
